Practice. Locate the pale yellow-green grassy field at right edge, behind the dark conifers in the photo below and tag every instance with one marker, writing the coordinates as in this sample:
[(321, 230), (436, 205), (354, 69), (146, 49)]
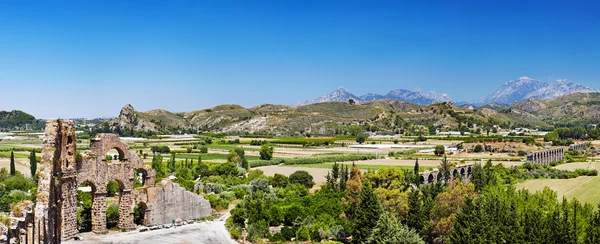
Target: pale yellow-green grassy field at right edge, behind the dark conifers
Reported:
[(583, 188)]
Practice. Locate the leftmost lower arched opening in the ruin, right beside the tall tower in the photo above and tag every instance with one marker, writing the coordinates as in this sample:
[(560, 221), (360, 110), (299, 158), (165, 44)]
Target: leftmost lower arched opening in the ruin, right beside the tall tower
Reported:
[(85, 199)]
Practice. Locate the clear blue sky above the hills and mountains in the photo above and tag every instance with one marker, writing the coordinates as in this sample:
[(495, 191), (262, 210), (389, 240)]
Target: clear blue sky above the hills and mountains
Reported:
[(89, 58)]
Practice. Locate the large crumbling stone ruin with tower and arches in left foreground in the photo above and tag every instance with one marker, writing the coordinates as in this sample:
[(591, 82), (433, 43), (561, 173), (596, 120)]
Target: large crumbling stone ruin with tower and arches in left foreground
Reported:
[(54, 217)]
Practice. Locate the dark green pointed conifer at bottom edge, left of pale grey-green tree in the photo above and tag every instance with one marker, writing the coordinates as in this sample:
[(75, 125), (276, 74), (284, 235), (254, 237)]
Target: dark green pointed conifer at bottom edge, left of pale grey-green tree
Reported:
[(367, 214)]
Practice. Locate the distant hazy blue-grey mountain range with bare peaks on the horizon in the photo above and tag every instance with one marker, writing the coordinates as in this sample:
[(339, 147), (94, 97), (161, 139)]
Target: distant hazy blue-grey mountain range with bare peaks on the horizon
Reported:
[(510, 92)]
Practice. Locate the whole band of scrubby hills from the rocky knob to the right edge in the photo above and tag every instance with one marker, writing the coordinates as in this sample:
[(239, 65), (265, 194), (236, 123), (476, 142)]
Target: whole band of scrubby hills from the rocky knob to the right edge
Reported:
[(341, 118)]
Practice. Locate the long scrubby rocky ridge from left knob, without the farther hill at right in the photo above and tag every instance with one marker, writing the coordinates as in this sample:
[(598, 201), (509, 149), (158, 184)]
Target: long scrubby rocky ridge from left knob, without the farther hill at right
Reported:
[(328, 118)]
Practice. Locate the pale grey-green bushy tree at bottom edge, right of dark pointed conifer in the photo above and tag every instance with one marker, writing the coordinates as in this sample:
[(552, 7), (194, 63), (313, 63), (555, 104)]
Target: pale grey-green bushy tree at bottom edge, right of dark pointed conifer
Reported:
[(390, 230)]
